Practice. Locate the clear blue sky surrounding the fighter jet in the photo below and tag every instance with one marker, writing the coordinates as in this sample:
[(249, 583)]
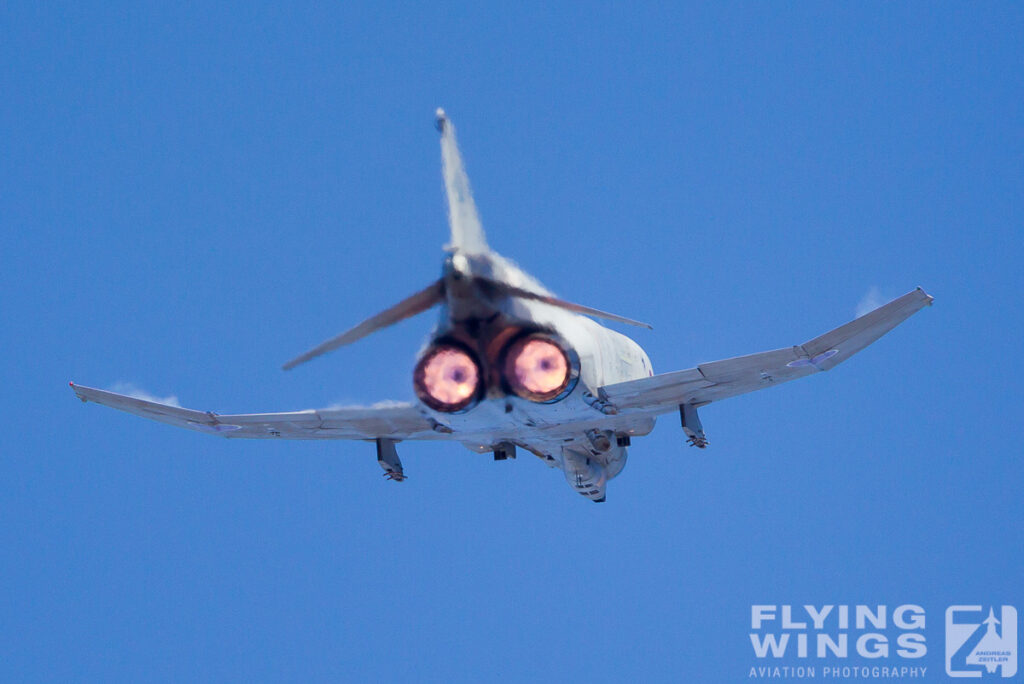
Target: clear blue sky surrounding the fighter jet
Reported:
[(193, 196)]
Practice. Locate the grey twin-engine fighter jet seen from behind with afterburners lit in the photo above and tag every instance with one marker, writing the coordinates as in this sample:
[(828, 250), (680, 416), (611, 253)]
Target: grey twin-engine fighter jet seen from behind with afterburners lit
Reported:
[(509, 366)]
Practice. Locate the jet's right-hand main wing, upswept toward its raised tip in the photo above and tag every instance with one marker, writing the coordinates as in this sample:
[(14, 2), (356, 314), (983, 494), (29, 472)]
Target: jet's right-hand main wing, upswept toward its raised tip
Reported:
[(732, 377)]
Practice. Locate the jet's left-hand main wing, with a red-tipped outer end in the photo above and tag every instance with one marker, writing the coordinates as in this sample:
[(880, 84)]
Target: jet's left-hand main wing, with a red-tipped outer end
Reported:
[(393, 421)]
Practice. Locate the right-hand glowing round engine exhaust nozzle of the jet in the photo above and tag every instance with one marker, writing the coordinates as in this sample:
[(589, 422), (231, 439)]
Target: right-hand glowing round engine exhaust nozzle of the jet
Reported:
[(541, 369)]
